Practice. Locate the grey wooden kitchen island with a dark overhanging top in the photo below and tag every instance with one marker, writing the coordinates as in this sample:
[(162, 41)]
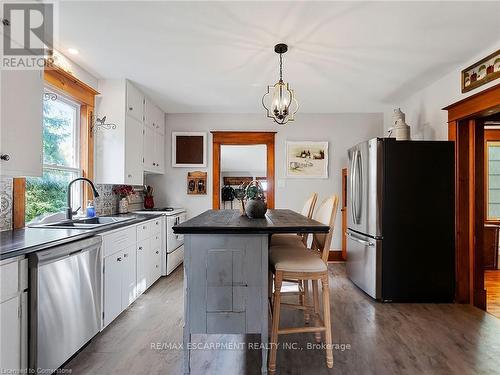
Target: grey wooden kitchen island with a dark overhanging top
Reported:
[(226, 272)]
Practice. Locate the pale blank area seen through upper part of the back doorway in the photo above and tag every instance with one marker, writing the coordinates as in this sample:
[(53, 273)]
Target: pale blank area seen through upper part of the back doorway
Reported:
[(243, 158)]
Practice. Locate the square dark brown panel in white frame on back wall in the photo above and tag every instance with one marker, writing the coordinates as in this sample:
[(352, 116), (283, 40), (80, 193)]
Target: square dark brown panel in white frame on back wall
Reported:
[(189, 149)]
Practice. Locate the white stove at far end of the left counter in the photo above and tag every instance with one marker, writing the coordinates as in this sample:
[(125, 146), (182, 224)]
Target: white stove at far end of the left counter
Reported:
[(173, 244)]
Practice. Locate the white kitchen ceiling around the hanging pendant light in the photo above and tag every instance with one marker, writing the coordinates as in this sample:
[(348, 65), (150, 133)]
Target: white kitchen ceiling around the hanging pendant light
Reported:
[(218, 56)]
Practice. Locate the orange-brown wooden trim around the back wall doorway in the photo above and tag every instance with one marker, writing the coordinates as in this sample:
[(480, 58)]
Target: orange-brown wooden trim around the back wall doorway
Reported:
[(242, 138)]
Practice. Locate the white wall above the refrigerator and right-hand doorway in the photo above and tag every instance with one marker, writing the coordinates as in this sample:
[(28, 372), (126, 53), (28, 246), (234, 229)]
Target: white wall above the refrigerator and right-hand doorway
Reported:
[(424, 109)]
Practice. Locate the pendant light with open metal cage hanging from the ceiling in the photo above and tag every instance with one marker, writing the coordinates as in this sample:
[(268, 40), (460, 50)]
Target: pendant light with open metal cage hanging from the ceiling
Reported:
[(279, 101)]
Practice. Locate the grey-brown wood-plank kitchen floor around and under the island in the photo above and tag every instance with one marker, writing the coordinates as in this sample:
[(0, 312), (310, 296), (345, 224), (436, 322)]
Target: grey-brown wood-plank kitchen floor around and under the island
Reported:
[(383, 339)]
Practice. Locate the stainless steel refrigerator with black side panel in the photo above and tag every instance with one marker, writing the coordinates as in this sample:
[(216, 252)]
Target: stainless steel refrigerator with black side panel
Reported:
[(400, 208)]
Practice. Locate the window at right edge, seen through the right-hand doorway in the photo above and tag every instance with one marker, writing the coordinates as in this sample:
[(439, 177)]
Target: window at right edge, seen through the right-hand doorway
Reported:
[(493, 153)]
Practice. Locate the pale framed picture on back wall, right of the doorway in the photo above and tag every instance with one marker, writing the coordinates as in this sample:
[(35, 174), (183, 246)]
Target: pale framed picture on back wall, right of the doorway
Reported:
[(307, 159)]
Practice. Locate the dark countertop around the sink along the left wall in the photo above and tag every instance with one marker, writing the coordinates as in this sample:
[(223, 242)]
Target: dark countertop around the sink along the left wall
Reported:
[(28, 240)]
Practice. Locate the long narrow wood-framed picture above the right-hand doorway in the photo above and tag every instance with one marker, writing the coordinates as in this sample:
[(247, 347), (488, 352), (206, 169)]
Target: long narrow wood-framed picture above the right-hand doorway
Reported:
[(480, 73)]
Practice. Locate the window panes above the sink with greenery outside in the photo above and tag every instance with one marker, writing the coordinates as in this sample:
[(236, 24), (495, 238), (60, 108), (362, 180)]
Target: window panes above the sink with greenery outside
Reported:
[(61, 163)]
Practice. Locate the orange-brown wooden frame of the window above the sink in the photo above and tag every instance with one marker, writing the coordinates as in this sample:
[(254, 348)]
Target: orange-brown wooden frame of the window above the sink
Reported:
[(83, 94)]
